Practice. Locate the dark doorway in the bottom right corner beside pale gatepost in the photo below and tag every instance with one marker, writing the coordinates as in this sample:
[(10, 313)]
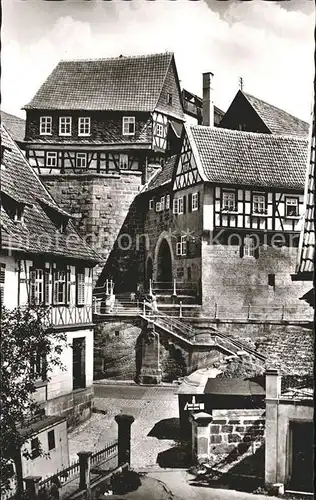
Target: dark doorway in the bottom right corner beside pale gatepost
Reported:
[(302, 455)]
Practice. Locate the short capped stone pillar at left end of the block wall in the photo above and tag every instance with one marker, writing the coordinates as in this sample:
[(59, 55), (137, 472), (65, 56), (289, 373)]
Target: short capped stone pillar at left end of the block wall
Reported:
[(200, 436)]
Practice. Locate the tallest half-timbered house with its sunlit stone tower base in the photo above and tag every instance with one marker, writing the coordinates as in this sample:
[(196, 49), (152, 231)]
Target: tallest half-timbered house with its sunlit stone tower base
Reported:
[(97, 129)]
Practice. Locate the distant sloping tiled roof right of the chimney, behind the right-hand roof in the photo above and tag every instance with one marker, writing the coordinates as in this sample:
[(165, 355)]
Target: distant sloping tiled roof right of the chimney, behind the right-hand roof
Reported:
[(277, 120)]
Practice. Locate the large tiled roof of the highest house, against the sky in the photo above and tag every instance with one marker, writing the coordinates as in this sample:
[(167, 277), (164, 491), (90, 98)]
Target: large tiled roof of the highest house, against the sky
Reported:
[(119, 84)]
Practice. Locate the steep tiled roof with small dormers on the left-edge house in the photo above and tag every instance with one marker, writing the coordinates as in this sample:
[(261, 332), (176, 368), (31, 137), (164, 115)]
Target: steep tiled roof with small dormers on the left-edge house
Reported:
[(38, 234)]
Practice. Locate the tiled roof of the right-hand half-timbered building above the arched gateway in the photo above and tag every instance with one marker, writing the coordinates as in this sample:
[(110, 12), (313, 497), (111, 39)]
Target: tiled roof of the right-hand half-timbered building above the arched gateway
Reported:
[(247, 158)]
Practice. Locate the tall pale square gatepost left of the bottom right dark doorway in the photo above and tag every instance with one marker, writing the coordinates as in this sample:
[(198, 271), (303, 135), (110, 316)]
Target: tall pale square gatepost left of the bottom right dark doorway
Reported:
[(273, 392)]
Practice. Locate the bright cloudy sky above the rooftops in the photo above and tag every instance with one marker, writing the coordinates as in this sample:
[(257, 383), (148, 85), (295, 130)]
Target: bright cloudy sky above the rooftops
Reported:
[(269, 43)]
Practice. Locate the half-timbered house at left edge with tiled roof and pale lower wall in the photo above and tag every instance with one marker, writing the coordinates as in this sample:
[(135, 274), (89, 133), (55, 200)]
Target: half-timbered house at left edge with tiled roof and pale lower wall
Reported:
[(45, 262)]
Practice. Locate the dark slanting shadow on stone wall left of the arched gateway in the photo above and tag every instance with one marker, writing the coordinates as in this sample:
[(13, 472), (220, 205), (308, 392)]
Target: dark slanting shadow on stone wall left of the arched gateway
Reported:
[(125, 262)]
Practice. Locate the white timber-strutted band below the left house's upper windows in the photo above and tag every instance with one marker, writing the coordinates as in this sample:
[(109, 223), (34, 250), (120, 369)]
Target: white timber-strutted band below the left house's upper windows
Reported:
[(69, 315)]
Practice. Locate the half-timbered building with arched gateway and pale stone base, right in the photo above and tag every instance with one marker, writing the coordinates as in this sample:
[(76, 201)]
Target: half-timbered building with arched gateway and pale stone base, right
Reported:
[(226, 219)]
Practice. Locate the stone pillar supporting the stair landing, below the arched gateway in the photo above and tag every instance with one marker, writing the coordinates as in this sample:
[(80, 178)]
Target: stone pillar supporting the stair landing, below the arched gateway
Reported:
[(150, 372)]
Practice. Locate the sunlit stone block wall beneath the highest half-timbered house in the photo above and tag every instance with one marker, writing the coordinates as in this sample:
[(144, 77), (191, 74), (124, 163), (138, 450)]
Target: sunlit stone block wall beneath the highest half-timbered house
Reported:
[(102, 201)]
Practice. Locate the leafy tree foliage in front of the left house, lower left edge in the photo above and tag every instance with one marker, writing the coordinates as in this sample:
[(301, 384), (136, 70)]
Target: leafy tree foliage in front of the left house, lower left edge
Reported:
[(27, 341)]
